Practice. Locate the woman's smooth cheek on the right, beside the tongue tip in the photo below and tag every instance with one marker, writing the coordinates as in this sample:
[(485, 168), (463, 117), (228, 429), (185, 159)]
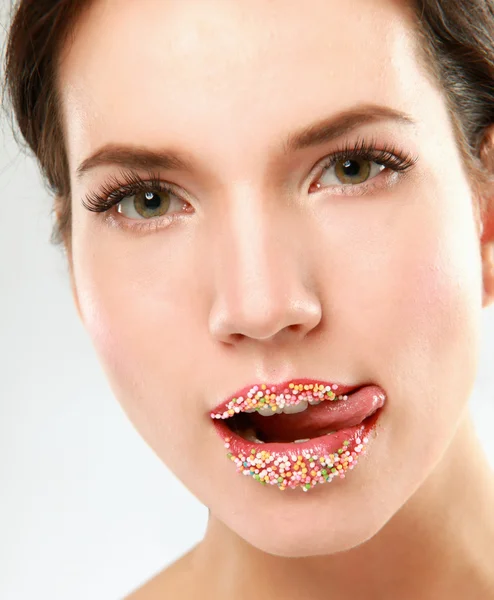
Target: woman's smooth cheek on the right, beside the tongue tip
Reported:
[(424, 336)]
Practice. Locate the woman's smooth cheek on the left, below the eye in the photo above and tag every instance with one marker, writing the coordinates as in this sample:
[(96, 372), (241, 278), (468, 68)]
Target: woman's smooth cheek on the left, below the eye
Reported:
[(144, 314)]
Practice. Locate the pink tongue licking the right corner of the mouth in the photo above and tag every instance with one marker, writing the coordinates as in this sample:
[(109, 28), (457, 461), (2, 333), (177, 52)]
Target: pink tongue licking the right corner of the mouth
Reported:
[(320, 419)]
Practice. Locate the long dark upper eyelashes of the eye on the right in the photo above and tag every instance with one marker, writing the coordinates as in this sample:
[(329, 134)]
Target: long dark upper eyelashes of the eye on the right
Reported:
[(389, 156)]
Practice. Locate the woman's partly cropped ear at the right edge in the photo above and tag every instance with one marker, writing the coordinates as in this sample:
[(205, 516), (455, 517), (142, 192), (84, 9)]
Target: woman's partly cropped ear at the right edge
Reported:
[(487, 221)]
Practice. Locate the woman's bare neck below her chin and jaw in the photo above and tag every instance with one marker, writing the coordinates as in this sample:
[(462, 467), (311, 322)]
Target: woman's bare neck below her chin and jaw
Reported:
[(437, 545)]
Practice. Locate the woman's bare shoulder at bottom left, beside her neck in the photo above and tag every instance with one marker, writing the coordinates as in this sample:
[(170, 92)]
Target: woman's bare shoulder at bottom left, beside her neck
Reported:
[(177, 580)]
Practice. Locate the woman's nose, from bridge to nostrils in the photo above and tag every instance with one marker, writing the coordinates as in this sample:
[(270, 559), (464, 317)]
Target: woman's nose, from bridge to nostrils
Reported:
[(262, 290)]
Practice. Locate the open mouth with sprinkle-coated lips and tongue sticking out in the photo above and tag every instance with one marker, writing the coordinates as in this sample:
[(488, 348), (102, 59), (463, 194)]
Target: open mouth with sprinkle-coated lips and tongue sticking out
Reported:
[(302, 436)]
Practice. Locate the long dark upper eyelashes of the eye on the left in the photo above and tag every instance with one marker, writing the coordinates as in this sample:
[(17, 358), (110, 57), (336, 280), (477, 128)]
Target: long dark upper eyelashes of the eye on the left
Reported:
[(112, 192)]
